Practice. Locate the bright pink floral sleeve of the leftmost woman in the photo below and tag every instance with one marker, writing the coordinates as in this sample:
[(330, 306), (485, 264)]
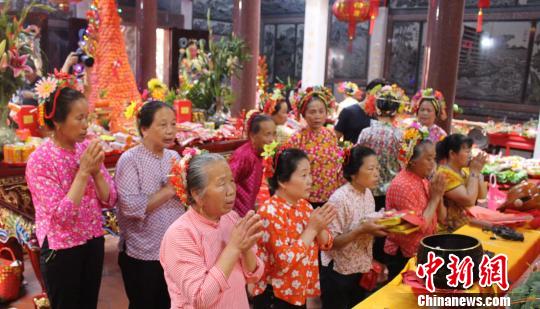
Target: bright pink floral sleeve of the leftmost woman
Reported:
[(47, 194)]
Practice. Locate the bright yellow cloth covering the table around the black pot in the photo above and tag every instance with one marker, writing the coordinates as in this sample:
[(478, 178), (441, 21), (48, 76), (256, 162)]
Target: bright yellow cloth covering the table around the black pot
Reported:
[(396, 295)]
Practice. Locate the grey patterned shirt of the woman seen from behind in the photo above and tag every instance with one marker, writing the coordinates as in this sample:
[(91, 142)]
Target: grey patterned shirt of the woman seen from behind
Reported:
[(385, 140)]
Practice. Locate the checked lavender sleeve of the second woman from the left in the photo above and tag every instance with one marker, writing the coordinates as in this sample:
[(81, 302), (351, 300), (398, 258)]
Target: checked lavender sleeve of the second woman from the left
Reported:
[(132, 201)]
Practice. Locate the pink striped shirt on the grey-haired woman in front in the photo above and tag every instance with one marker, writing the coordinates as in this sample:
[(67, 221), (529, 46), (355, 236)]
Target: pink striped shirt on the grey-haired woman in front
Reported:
[(189, 252)]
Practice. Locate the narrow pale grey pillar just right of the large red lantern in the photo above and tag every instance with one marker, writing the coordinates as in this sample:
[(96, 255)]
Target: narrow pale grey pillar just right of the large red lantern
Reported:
[(377, 46)]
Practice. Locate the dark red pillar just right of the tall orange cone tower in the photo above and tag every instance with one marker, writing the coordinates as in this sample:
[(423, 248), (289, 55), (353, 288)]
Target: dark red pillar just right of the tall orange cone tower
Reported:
[(146, 21)]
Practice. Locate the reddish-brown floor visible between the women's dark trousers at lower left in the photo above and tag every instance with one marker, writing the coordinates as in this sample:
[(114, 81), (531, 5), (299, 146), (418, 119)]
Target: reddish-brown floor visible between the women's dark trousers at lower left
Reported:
[(112, 294)]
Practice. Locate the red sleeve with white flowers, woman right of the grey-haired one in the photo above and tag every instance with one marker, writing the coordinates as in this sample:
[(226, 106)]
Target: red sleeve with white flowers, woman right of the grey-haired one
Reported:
[(287, 255)]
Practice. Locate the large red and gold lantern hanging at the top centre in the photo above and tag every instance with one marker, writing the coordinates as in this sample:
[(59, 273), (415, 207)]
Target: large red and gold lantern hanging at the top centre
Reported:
[(355, 11)]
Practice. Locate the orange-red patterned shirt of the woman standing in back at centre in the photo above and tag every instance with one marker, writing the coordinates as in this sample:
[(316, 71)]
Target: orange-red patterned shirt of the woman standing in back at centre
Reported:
[(325, 160)]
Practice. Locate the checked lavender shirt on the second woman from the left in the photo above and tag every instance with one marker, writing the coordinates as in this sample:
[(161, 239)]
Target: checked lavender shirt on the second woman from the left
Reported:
[(139, 174)]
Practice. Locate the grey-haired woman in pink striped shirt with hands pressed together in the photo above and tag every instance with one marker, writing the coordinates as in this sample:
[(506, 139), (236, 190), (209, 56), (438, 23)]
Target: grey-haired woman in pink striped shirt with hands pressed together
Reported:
[(208, 254)]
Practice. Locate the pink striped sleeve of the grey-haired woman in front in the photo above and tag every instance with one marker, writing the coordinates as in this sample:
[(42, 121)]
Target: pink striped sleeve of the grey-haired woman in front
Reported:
[(183, 263)]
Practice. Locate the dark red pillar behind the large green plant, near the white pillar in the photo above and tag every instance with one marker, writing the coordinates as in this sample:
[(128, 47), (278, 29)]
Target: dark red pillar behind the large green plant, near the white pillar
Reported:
[(246, 24)]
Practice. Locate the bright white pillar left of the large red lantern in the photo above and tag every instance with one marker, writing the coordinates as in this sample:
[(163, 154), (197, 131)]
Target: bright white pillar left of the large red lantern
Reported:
[(315, 37)]
